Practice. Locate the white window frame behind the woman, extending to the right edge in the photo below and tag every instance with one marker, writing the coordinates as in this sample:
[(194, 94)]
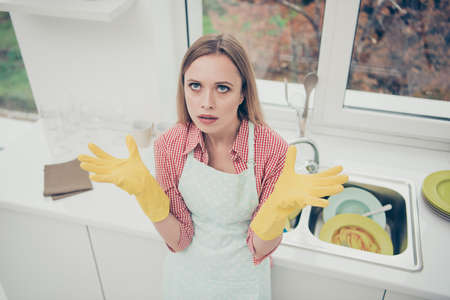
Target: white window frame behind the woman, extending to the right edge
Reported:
[(330, 116)]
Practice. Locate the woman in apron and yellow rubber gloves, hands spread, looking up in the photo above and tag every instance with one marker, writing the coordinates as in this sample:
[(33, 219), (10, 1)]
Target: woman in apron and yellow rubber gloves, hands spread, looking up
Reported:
[(225, 182)]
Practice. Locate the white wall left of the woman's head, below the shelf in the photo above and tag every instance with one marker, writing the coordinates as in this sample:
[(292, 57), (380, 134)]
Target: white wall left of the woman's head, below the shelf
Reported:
[(126, 68)]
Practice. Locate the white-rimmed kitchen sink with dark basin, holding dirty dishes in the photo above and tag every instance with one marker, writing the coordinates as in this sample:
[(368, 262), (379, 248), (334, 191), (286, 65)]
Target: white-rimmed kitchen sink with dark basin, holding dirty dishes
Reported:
[(401, 224)]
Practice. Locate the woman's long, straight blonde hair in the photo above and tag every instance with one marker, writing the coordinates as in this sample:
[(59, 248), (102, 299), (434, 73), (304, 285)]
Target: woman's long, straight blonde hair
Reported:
[(225, 44)]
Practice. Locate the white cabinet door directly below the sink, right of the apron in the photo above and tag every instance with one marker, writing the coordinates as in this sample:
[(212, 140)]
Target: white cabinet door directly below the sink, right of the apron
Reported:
[(292, 284)]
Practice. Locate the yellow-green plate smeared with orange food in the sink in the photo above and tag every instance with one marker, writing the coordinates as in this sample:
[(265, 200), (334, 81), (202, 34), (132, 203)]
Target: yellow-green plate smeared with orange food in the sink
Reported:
[(358, 232)]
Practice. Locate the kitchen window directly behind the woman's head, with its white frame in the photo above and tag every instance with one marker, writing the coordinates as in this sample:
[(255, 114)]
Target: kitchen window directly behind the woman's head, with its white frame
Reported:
[(282, 39)]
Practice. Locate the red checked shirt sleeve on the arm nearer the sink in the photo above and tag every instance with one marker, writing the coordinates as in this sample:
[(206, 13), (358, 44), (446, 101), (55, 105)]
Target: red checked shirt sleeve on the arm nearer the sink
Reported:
[(275, 166)]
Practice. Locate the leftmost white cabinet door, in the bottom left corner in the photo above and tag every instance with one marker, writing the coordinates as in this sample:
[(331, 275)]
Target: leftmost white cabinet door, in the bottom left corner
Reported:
[(45, 259)]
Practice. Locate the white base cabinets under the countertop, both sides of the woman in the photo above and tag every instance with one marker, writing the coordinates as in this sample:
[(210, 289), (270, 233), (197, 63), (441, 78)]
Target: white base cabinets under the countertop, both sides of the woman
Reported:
[(42, 258)]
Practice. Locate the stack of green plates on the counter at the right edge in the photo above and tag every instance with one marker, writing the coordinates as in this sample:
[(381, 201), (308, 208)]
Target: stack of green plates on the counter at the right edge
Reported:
[(436, 189)]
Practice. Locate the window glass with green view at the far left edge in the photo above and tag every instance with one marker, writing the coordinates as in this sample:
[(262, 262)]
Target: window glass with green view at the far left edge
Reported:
[(16, 99)]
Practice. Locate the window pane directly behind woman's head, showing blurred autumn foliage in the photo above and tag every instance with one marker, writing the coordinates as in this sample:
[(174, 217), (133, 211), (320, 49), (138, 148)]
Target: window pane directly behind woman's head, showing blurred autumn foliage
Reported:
[(282, 38)]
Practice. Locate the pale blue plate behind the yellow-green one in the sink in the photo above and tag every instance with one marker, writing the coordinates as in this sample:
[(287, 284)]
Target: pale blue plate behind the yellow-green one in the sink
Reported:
[(355, 201)]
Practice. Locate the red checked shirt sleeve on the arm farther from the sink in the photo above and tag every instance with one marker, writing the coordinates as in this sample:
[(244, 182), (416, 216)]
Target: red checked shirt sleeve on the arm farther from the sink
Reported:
[(167, 177)]
